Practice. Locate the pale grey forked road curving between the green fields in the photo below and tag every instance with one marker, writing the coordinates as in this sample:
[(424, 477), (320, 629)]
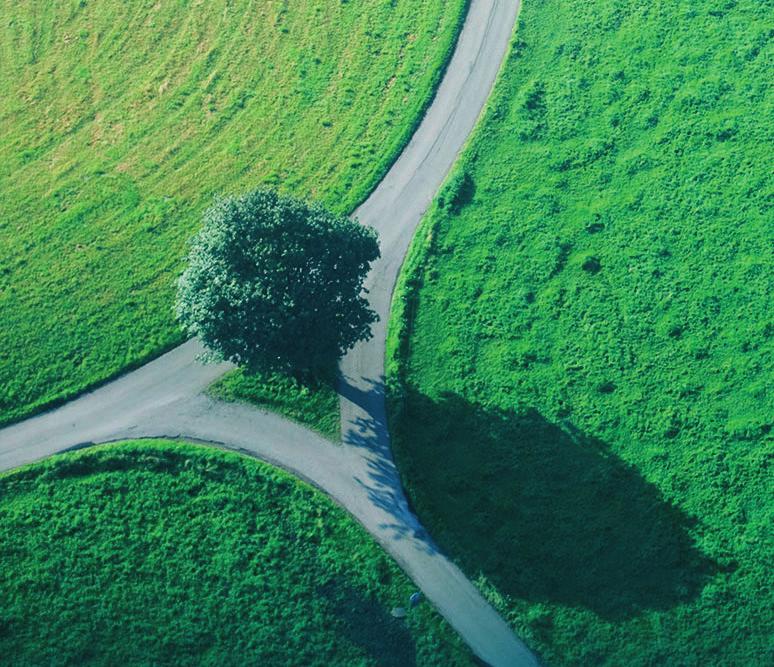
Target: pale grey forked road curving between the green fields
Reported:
[(164, 397)]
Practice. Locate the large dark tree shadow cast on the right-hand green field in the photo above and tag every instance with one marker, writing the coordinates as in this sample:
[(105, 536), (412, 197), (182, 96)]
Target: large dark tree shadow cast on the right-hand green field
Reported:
[(545, 512)]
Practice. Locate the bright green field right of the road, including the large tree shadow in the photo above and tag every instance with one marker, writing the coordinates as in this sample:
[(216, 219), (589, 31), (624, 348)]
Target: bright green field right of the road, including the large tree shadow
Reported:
[(581, 366)]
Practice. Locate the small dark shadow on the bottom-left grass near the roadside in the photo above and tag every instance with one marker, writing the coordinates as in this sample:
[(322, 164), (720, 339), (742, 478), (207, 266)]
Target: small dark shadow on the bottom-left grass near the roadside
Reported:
[(366, 623)]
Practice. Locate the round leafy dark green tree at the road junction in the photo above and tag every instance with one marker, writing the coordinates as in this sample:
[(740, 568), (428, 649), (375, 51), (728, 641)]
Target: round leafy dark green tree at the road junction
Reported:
[(276, 284)]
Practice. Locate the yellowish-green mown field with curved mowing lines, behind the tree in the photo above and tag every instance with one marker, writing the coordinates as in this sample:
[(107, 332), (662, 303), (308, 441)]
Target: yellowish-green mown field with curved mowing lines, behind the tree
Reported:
[(119, 122)]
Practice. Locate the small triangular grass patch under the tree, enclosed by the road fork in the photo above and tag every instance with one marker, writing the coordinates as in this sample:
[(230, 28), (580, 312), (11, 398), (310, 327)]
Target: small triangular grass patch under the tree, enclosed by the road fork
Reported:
[(315, 404)]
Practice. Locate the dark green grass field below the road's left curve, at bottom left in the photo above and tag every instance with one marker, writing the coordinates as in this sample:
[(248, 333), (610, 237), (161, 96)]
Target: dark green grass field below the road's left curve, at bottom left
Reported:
[(160, 553)]
